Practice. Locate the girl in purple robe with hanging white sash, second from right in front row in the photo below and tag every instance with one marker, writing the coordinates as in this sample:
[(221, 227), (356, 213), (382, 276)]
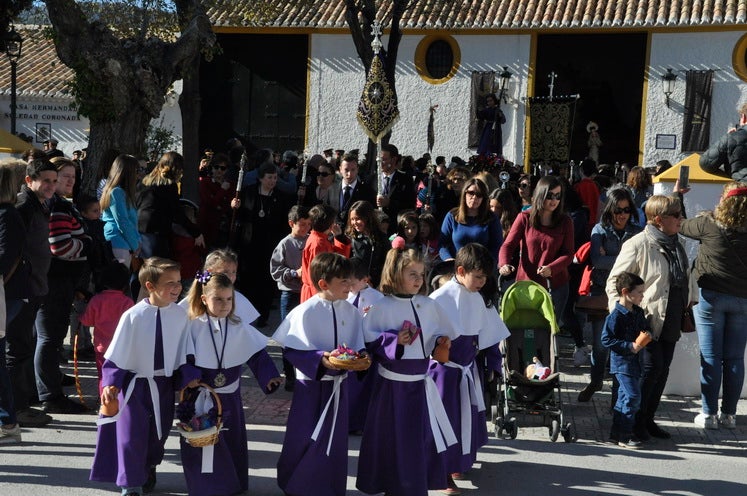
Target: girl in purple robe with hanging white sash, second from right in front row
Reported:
[(406, 426)]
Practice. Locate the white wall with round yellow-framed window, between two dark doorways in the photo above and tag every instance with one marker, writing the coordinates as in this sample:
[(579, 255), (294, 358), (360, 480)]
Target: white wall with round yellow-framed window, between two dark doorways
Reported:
[(337, 80)]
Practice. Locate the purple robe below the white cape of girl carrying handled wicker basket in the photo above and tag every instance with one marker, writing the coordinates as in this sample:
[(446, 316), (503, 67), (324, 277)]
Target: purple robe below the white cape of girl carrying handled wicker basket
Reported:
[(230, 458)]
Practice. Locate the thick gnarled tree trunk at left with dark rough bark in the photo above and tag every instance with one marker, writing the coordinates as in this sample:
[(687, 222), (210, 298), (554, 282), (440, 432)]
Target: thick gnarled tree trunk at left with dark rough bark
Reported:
[(123, 71)]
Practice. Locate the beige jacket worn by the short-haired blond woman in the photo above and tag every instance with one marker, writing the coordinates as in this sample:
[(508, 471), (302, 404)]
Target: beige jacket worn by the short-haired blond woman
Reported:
[(640, 255)]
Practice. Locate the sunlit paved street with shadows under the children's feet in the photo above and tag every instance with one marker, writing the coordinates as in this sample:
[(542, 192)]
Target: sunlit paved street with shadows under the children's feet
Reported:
[(55, 460)]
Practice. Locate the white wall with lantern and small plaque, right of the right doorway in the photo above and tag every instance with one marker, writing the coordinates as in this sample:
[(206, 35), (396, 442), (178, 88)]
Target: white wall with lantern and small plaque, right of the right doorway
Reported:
[(682, 52)]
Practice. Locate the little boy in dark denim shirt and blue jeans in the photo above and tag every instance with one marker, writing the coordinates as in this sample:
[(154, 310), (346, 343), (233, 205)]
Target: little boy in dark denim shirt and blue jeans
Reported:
[(620, 333)]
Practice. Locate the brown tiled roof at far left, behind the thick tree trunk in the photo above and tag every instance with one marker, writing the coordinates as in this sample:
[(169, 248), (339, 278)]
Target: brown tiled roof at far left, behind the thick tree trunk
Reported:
[(39, 72)]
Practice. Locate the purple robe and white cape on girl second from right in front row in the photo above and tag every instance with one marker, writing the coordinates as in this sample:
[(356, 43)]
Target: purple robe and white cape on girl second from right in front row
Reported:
[(398, 454)]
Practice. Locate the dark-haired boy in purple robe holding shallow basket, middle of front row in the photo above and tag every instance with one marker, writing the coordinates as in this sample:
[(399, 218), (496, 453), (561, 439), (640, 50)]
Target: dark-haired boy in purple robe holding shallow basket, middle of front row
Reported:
[(314, 458)]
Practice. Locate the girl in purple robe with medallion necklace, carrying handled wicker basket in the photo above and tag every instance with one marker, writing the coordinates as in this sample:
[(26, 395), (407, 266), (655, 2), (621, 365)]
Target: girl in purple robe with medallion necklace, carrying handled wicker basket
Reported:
[(219, 345)]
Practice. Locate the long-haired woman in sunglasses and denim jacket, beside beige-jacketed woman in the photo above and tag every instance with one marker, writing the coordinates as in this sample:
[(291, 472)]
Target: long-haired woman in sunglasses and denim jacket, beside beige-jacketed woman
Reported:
[(619, 223)]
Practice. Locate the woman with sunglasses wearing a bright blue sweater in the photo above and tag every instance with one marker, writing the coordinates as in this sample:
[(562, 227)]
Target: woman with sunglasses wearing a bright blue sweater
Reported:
[(470, 222)]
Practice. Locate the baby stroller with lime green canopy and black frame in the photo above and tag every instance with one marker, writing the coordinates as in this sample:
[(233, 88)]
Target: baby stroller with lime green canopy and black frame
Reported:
[(526, 308)]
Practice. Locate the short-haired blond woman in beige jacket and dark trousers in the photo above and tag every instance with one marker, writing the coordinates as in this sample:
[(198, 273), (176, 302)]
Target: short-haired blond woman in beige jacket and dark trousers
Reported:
[(658, 257)]
